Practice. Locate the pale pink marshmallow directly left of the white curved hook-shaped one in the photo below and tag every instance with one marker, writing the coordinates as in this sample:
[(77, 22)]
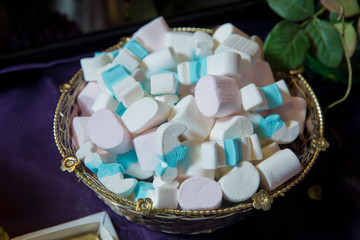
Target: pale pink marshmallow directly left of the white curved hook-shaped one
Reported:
[(145, 147)]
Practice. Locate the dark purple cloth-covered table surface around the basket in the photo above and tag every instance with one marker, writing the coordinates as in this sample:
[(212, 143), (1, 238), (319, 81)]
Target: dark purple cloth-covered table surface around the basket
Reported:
[(36, 194)]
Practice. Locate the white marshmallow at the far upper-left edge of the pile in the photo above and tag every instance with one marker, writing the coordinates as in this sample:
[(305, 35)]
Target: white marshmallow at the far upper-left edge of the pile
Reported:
[(89, 65)]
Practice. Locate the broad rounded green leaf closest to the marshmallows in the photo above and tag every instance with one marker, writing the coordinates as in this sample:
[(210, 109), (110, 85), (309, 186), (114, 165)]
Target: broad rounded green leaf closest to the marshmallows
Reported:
[(285, 46)]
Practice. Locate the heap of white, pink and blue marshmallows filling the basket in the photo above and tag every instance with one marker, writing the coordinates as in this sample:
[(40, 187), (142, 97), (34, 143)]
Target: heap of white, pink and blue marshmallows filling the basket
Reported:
[(190, 120)]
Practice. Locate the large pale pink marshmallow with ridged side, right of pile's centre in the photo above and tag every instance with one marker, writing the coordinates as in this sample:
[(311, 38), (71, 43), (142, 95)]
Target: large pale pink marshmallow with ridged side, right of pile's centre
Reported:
[(217, 96)]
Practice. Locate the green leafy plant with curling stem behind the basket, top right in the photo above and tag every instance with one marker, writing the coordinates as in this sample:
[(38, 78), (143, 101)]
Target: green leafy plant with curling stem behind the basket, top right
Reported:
[(321, 36)]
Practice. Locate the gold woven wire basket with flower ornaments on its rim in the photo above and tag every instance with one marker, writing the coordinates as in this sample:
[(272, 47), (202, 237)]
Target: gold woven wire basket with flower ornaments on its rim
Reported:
[(306, 147)]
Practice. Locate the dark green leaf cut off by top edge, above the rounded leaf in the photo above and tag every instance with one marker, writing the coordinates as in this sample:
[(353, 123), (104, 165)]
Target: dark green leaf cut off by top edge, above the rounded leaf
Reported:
[(292, 10)]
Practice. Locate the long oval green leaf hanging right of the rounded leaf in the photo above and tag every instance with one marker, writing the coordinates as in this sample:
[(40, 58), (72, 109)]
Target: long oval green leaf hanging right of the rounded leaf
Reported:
[(326, 43)]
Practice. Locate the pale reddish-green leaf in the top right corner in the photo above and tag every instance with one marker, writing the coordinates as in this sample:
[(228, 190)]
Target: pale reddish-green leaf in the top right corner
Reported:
[(351, 7)]
